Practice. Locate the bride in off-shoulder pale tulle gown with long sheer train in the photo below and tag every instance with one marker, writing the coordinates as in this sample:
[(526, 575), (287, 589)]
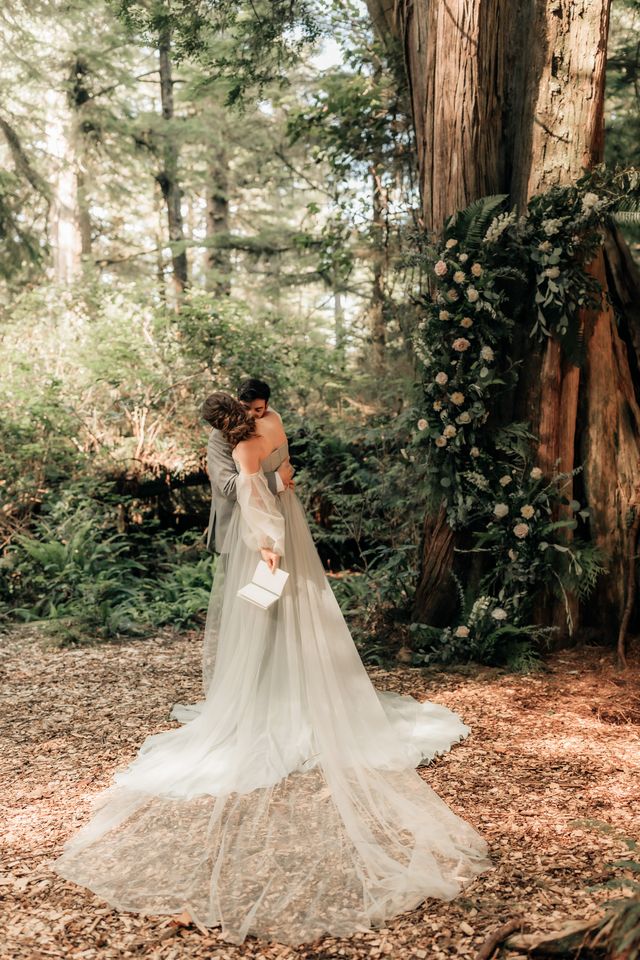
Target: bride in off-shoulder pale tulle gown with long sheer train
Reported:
[(287, 805)]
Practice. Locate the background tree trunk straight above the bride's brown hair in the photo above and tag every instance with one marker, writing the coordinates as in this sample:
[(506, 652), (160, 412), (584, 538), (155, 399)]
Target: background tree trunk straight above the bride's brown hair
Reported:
[(218, 264)]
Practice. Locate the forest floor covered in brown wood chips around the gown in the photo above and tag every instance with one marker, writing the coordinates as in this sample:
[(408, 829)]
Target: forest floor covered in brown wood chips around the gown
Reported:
[(551, 758)]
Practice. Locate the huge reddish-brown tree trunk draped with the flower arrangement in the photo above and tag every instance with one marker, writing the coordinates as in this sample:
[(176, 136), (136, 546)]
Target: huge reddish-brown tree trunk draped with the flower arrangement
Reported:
[(507, 97)]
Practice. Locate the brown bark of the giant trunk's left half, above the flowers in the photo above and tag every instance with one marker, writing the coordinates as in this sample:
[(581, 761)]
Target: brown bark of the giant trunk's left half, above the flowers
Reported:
[(456, 59)]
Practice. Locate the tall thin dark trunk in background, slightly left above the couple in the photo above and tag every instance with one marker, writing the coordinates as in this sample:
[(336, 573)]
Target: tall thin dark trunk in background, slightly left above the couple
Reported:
[(168, 176)]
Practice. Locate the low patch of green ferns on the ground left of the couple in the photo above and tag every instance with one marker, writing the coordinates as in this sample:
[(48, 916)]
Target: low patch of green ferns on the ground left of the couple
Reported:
[(91, 581)]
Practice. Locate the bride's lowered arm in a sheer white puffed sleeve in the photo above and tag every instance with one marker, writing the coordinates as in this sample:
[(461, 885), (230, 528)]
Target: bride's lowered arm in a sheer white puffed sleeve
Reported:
[(262, 524)]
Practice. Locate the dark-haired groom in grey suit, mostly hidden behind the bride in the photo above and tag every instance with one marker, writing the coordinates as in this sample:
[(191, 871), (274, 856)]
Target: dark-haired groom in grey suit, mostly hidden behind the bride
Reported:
[(222, 470)]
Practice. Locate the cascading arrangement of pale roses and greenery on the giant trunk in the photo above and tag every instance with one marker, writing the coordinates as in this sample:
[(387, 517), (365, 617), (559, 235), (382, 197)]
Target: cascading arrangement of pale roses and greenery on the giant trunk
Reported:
[(491, 270)]
